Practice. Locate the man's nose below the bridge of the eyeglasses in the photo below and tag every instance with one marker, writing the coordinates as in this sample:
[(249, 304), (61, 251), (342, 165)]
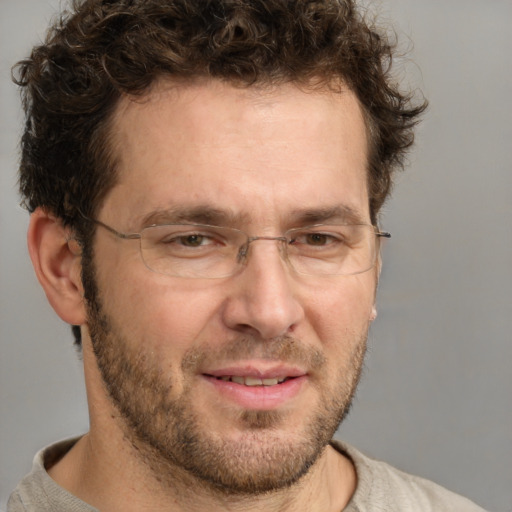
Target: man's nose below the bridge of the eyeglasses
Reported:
[(264, 300)]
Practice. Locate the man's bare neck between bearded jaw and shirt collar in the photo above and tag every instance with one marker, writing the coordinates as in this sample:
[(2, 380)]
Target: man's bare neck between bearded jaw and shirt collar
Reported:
[(109, 477)]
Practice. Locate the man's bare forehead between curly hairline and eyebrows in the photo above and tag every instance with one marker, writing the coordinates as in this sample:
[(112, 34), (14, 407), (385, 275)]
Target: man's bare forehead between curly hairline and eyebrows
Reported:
[(255, 152)]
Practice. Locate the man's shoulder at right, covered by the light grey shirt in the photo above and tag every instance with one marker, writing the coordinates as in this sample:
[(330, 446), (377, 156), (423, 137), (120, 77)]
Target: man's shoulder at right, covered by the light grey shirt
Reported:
[(384, 488)]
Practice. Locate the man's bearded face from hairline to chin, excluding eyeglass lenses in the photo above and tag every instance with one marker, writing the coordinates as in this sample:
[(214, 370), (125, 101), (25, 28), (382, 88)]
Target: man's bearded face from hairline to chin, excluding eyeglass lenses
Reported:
[(178, 355)]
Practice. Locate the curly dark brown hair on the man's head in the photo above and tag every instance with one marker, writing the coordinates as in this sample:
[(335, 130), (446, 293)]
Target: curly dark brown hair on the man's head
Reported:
[(102, 49)]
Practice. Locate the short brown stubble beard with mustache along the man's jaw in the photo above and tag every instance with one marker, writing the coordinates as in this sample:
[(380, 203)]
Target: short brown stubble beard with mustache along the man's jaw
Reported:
[(169, 436)]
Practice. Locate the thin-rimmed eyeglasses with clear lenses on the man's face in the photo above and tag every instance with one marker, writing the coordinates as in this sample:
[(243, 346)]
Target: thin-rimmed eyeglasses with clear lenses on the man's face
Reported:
[(202, 251)]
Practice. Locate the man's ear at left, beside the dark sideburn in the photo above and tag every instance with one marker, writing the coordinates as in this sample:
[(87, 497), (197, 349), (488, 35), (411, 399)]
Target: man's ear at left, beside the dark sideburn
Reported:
[(57, 262)]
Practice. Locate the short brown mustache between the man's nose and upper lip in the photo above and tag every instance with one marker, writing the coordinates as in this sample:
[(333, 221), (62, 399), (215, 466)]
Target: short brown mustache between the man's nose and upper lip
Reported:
[(284, 349)]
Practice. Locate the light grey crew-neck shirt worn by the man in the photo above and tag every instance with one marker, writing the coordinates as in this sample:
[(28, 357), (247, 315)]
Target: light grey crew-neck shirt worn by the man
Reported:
[(380, 488)]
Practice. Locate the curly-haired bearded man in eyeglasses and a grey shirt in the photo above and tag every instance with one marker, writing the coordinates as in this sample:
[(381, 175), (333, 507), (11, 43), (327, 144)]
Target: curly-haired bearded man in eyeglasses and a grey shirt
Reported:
[(204, 181)]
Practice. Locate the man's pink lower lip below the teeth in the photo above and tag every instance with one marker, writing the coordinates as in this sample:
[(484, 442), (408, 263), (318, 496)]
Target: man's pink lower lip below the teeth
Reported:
[(261, 398)]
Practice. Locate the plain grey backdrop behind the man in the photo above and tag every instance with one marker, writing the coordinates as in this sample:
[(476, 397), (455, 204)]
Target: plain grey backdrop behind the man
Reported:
[(436, 395)]
